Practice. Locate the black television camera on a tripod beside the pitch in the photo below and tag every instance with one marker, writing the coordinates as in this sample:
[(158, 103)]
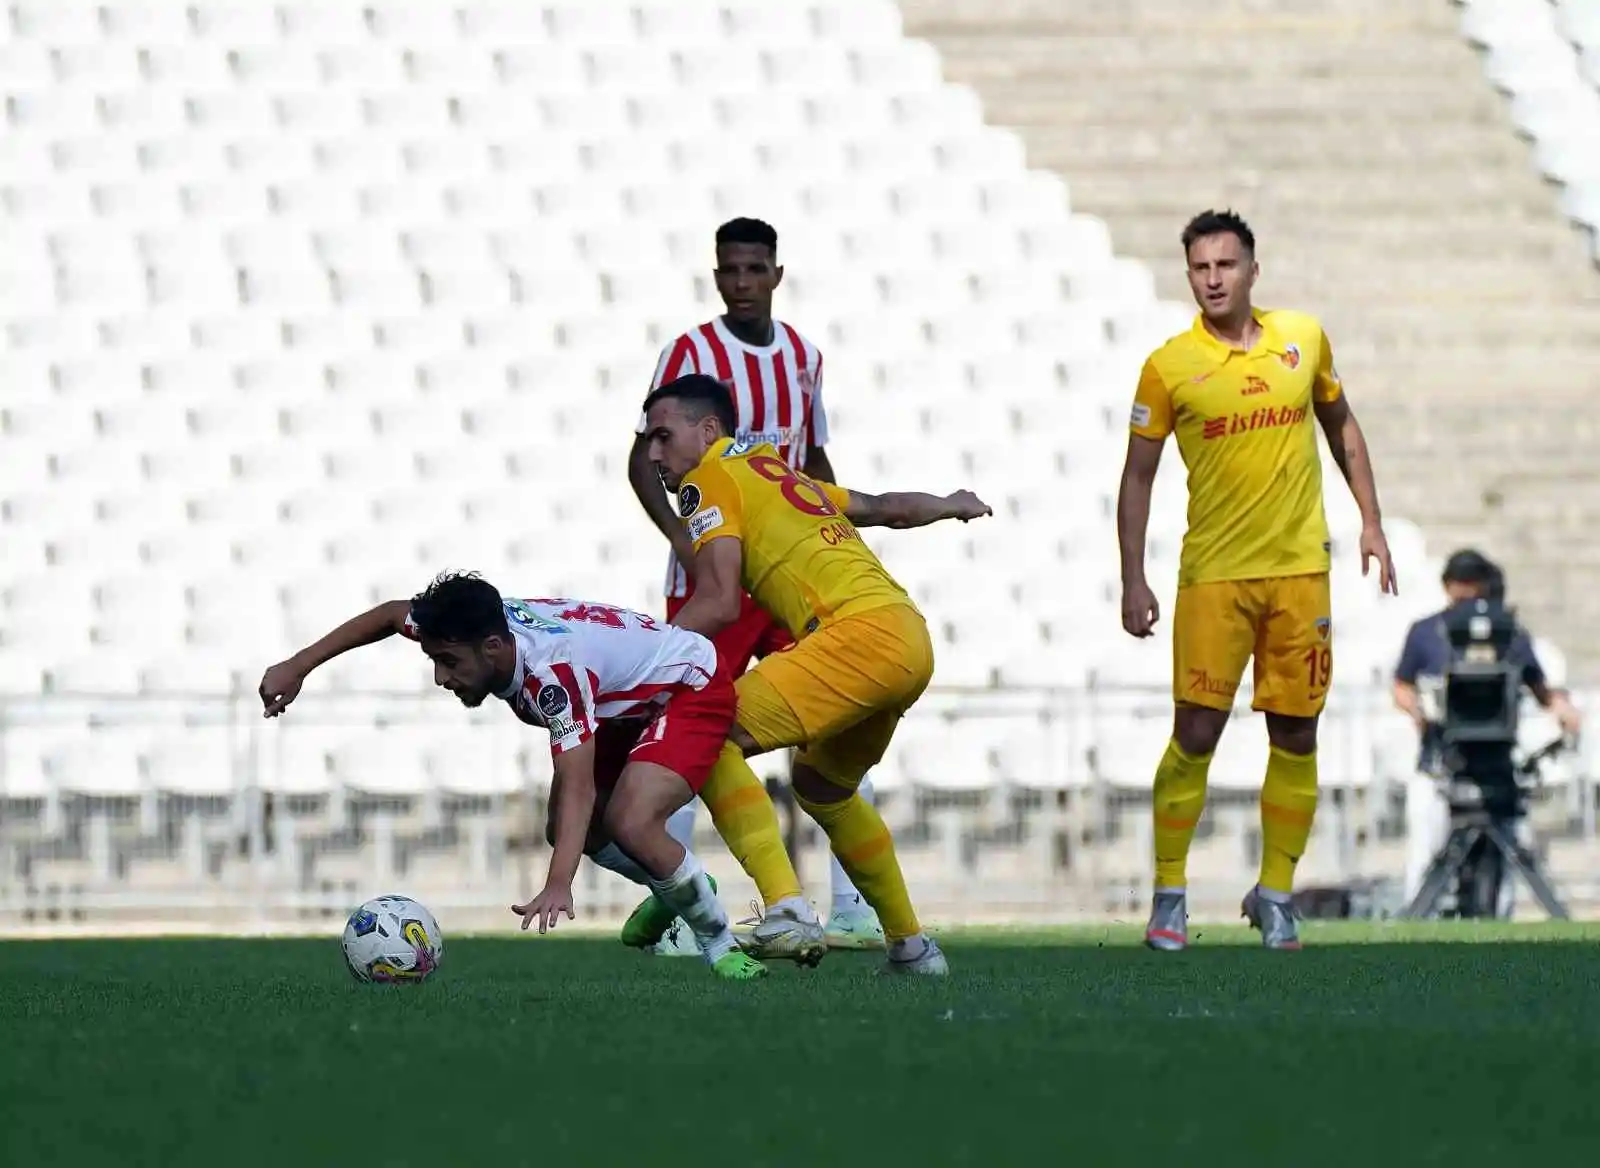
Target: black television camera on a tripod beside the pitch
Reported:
[(1473, 722)]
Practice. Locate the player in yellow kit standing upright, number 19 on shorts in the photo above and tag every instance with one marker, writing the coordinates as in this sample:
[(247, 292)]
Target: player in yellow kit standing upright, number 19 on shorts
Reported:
[(1246, 391)]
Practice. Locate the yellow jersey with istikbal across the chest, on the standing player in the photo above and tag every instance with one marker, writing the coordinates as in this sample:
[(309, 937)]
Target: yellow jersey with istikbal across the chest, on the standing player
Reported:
[(1249, 438)]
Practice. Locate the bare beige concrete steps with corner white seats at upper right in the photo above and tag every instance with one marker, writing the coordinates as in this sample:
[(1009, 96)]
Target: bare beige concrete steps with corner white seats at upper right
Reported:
[(1391, 194)]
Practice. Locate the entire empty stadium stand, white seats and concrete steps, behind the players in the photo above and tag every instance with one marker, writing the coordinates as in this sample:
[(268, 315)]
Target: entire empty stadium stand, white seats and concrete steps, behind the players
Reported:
[(306, 302)]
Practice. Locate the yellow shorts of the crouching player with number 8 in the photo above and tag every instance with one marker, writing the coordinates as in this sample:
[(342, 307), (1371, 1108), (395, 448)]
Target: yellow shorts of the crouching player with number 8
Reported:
[(841, 692)]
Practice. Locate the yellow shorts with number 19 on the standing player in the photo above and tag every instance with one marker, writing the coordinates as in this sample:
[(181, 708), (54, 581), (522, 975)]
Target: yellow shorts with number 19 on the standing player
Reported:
[(1286, 623)]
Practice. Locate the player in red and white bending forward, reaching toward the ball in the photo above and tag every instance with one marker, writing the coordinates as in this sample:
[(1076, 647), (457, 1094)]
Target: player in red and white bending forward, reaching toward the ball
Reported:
[(638, 716)]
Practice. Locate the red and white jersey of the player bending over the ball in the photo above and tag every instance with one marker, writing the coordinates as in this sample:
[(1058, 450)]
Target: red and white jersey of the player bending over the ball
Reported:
[(580, 665)]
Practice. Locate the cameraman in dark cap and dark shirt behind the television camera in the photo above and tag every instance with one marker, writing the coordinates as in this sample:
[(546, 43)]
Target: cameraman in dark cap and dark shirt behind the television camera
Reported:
[(1423, 663)]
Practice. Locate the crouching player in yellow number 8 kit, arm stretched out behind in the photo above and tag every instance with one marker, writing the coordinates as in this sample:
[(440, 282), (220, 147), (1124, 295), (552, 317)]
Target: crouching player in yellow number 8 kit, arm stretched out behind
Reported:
[(863, 654)]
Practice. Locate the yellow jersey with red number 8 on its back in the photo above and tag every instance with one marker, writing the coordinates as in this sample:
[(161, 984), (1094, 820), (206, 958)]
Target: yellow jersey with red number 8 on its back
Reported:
[(804, 562)]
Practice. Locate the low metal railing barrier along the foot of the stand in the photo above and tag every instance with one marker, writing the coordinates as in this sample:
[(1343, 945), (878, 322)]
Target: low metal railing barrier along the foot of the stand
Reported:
[(1007, 806)]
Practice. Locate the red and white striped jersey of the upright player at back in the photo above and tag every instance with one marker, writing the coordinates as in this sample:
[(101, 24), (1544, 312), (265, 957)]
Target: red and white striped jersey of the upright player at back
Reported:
[(777, 393)]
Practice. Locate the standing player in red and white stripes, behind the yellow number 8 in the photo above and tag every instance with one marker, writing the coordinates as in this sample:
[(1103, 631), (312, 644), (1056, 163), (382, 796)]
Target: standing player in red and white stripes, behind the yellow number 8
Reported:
[(775, 377)]
